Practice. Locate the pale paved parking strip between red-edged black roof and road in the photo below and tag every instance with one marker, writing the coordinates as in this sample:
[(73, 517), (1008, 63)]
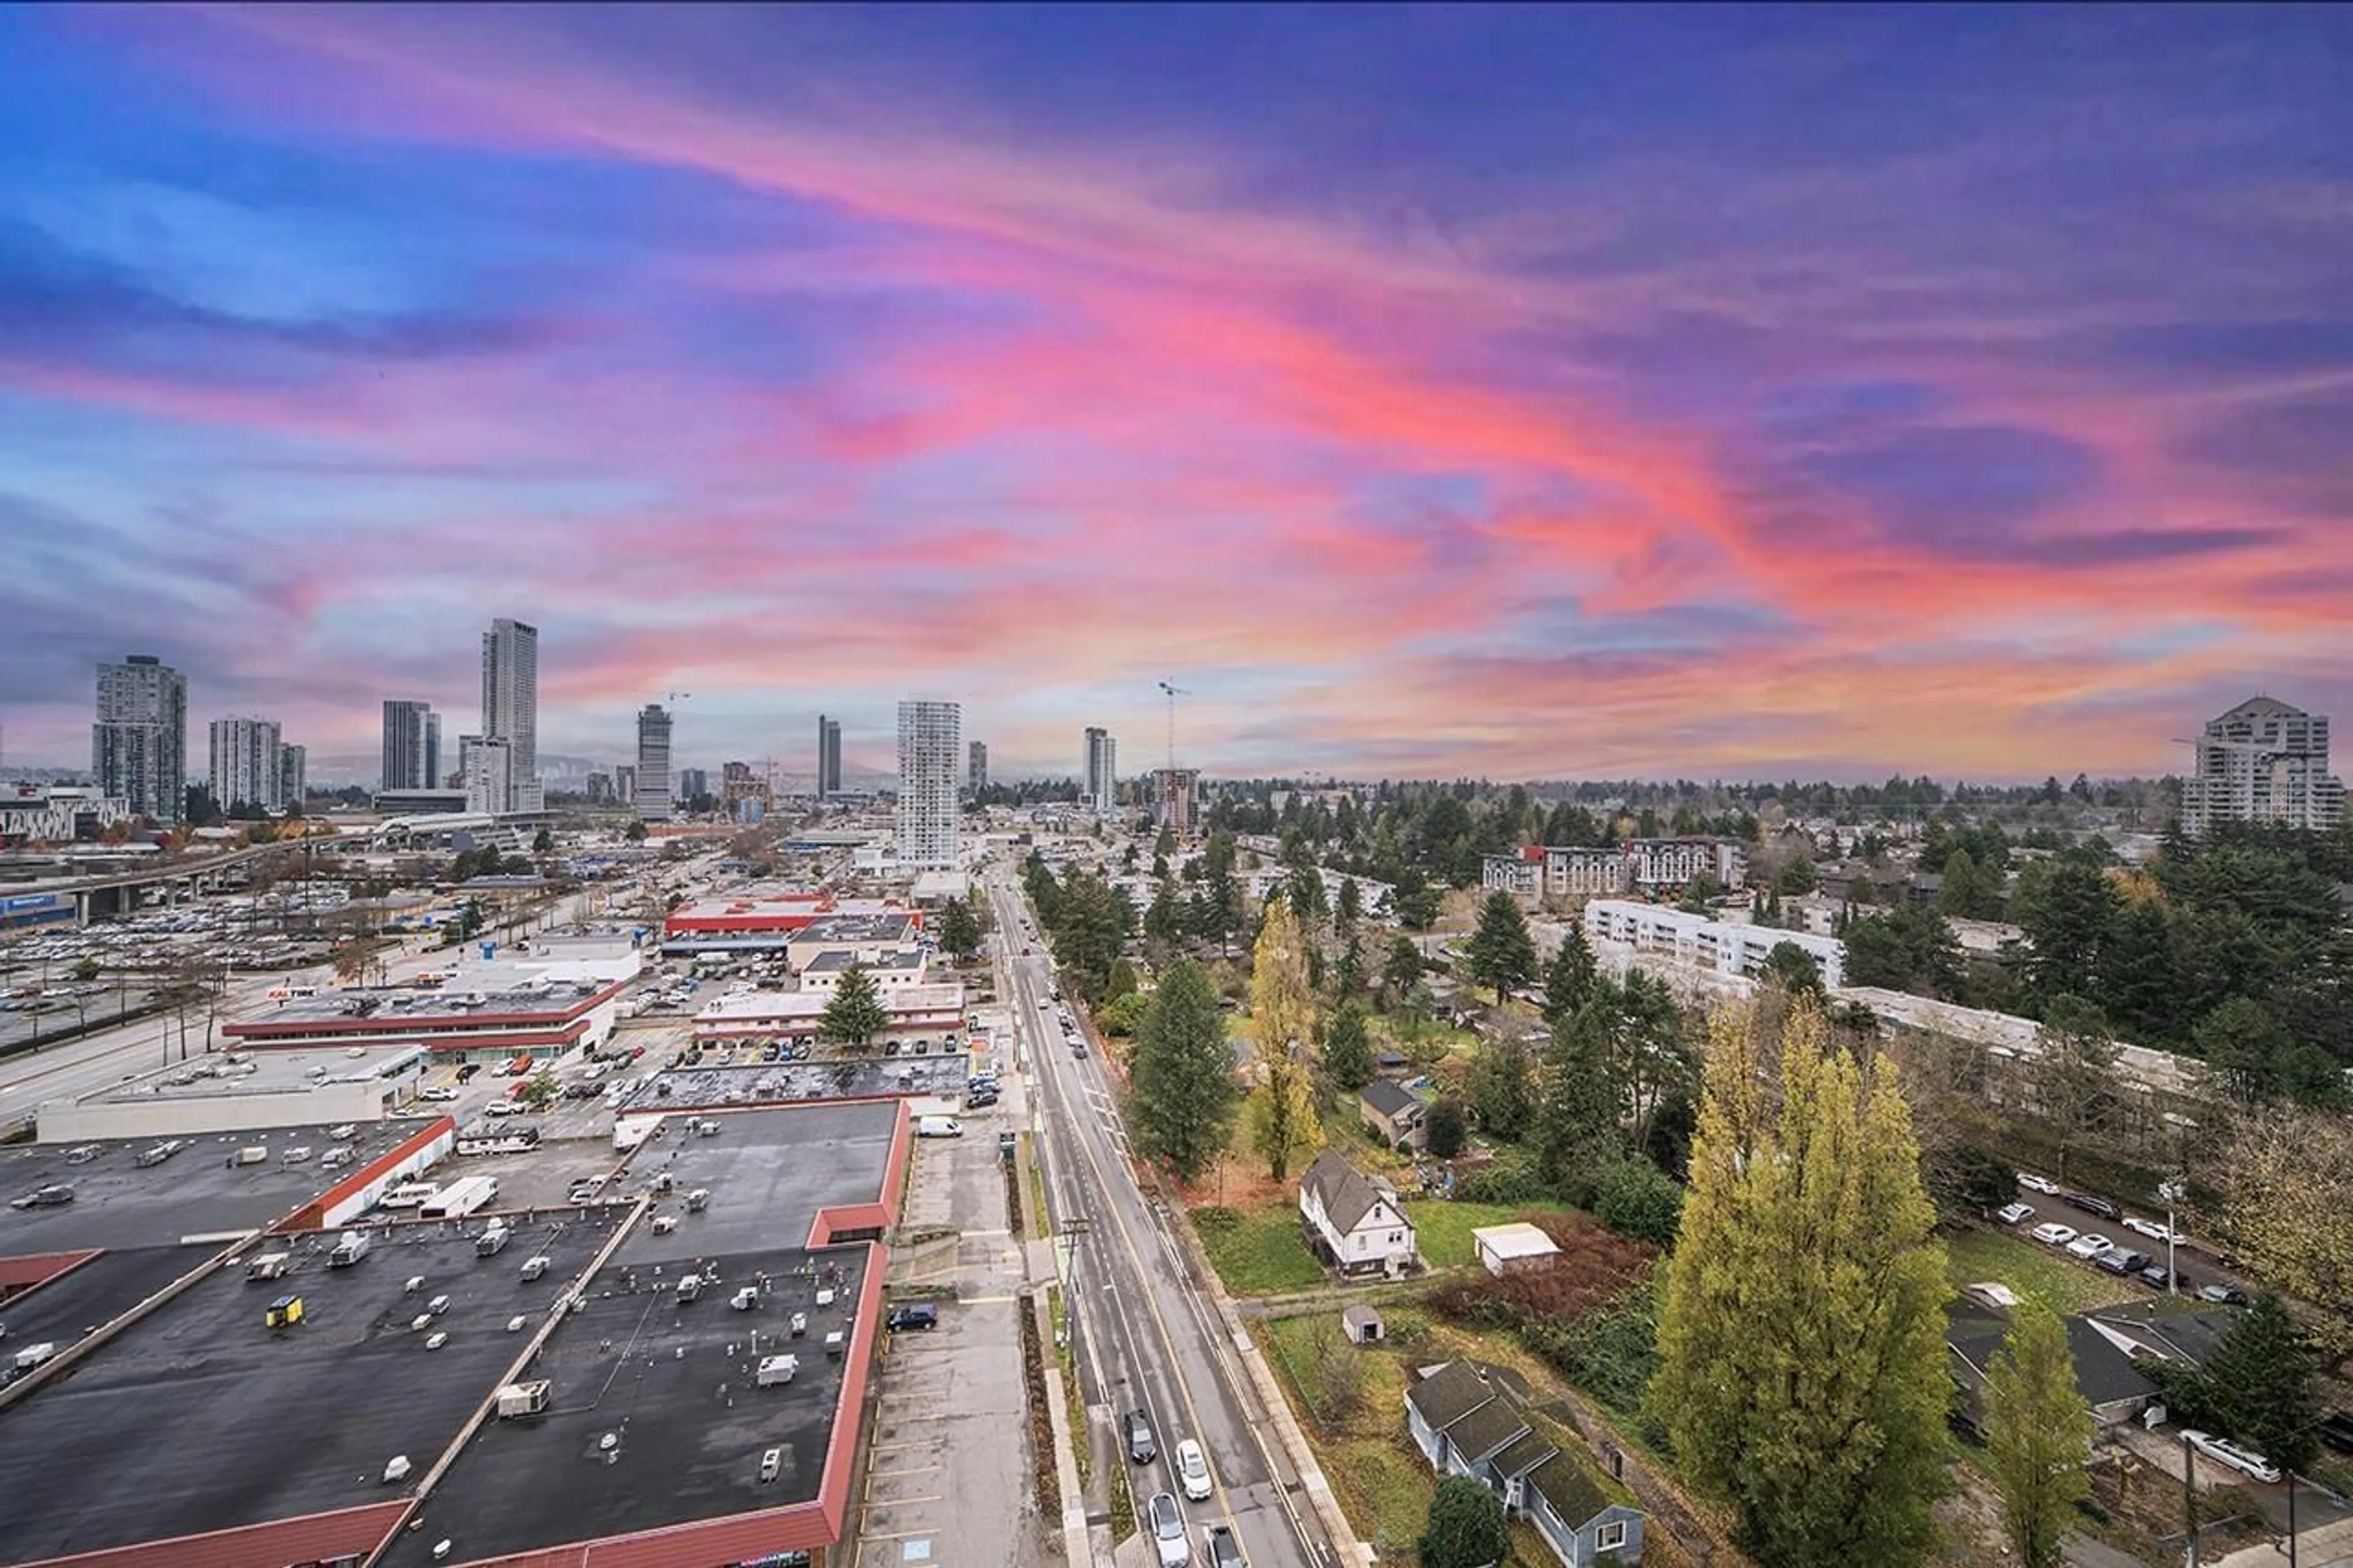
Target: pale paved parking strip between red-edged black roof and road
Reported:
[(949, 1466)]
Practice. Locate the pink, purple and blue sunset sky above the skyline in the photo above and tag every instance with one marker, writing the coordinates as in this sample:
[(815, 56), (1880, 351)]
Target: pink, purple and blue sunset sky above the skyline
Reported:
[(1427, 390)]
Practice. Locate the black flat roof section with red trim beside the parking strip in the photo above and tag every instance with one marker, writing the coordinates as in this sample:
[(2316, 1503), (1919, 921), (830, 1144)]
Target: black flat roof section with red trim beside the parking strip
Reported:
[(672, 1381)]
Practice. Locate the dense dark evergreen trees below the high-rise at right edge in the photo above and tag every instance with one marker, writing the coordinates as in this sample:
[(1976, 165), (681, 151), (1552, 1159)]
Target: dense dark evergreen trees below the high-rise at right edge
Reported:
[(2232, 950)]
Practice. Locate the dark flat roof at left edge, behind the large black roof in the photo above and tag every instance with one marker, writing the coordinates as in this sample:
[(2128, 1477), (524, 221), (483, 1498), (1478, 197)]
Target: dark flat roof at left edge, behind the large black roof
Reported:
[(194, 1195)]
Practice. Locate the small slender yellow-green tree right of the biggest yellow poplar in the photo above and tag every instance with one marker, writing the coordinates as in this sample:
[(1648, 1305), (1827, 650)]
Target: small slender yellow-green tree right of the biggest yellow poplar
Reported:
[(2039, 1435)]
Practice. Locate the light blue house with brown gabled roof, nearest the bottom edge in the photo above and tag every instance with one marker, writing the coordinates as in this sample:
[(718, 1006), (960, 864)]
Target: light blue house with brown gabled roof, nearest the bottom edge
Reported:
[(1474, 1421)]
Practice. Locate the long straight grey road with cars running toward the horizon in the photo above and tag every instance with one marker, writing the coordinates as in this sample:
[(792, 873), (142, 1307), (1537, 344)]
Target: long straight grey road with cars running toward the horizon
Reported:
[(1147, 1338)]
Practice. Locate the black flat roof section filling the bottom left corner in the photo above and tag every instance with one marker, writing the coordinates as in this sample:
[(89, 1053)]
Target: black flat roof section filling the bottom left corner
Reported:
[(215, 1421)]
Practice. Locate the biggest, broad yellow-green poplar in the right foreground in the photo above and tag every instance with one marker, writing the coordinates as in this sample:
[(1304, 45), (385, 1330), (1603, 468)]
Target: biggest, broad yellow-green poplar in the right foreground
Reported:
[(1801, 1341)]
